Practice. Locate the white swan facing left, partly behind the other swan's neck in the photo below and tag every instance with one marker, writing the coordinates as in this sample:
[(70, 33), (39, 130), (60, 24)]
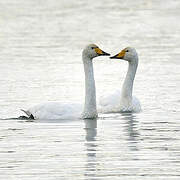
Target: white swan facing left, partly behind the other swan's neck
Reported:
[(123, 101)]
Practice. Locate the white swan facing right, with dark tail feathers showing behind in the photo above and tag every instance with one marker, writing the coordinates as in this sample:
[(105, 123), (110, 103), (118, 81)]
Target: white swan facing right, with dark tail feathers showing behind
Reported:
[(56, 110)]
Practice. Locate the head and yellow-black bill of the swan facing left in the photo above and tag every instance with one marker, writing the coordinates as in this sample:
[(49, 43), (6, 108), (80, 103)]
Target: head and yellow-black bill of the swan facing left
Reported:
[(128, 54)]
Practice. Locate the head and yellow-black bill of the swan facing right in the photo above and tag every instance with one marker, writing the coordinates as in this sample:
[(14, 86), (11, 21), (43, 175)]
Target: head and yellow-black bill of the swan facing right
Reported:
[(91, 51)]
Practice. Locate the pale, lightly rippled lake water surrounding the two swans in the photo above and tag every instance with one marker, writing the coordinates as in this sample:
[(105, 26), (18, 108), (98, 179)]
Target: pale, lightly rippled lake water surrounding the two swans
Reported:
[(40, 60)]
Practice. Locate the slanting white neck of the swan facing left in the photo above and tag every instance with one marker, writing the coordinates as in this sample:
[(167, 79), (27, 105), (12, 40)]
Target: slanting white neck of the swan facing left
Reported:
[(127, 88)]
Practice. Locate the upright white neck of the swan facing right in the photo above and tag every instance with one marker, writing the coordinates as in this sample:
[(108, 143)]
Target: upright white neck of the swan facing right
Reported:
[(90, 110)]
